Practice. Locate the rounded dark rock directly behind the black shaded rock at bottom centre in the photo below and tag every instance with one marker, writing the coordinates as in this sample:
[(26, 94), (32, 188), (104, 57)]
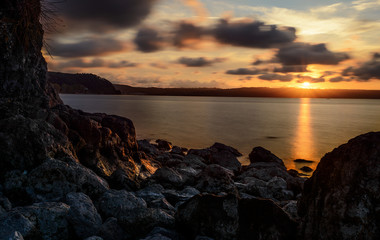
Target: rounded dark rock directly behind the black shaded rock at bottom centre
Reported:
[(216, 179)]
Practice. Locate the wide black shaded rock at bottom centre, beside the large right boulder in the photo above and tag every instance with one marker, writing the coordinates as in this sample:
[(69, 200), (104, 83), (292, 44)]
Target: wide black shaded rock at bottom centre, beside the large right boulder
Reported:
[(227, 217)]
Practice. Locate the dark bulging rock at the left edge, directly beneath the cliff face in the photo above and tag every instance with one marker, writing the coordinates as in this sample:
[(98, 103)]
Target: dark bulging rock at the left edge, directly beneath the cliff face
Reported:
[(25, 143)]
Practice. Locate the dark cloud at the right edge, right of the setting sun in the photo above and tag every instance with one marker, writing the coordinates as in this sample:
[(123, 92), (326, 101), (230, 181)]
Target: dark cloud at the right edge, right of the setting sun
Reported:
[(367, 71)]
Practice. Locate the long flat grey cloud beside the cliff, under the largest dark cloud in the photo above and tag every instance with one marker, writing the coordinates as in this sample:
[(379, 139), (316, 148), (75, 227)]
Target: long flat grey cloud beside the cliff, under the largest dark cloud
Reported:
[(91, 47)]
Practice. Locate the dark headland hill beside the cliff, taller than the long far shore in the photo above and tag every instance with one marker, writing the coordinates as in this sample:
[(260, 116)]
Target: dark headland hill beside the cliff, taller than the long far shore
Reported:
[(83, 83)]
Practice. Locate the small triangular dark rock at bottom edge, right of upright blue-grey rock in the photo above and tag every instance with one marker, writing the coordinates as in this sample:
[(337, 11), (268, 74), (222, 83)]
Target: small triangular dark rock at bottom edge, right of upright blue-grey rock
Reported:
[(111, 230)]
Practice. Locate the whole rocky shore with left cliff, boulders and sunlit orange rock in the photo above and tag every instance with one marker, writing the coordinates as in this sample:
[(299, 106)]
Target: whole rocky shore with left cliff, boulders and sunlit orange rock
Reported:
[(67, 174)]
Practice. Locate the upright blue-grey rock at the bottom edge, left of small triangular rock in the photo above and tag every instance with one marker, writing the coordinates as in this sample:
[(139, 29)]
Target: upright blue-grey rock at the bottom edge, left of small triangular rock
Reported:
[(83, 215)]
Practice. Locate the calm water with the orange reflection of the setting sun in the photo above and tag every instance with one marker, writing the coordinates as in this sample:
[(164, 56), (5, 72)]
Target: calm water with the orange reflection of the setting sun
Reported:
[(290, 128)]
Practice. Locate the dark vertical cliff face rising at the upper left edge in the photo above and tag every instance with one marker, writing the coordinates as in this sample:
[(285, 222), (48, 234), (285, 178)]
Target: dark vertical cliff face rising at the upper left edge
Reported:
[(23, 68)]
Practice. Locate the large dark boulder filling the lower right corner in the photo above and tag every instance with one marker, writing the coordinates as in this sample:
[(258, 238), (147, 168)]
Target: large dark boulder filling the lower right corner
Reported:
[(341, 200)]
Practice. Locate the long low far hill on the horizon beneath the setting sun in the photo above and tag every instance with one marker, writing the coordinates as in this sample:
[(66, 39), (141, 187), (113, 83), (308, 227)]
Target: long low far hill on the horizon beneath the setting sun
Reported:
[(252, 92)]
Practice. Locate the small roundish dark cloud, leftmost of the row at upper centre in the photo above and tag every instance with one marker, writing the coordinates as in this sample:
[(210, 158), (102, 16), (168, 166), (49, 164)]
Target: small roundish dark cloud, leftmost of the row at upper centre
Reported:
[(149, 40)]
